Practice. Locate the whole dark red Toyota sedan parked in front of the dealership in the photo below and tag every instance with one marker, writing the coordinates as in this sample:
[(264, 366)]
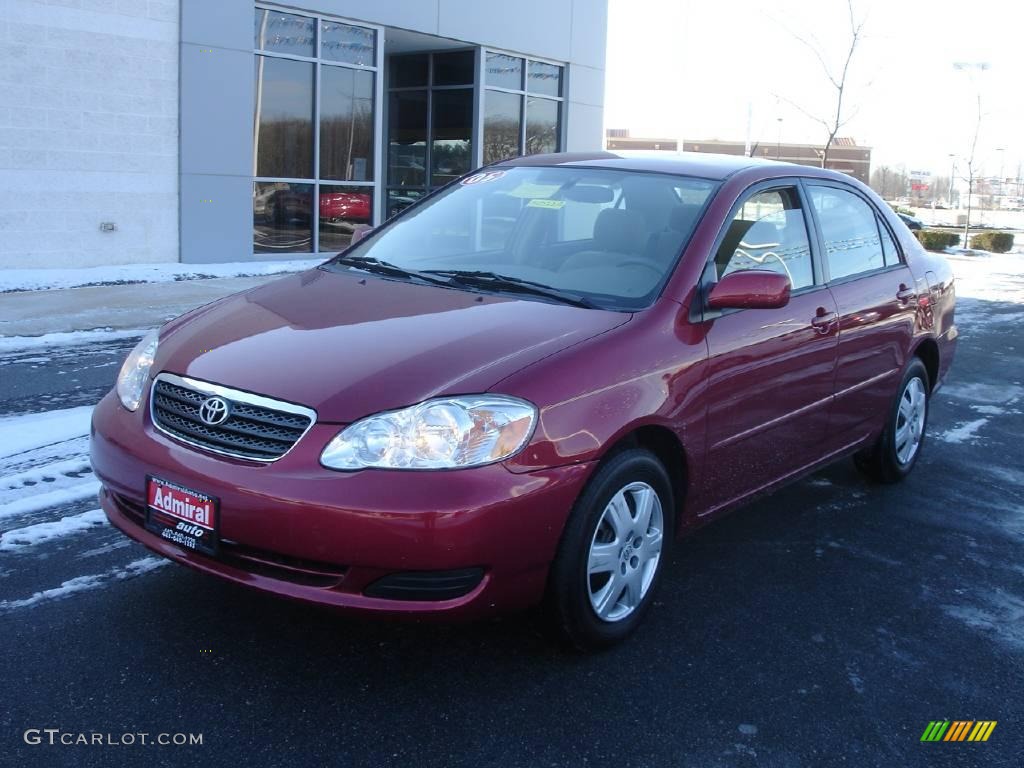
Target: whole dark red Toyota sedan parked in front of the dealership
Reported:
[(525, 388)]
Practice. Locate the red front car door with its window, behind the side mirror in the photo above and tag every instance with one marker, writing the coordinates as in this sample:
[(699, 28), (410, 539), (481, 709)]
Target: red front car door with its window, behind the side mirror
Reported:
[(771, 372)]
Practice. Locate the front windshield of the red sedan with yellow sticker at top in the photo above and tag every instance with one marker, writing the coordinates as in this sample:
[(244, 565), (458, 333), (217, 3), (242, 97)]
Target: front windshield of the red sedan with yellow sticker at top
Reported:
[(609, 238)]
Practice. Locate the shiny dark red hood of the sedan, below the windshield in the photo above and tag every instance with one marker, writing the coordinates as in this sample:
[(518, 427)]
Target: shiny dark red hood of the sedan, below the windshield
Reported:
[(350, 346)]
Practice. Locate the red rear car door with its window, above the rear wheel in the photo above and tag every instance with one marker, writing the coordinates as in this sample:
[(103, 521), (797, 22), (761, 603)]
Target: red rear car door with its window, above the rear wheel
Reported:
[(877, 302)]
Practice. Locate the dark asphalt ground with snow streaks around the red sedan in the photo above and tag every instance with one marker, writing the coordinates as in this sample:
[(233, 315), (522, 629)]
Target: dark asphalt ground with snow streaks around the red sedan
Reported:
[(826, 625)]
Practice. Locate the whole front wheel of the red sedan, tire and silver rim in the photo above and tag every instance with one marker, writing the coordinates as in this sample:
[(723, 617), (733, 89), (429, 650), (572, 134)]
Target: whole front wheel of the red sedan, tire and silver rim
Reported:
[(613, 552)]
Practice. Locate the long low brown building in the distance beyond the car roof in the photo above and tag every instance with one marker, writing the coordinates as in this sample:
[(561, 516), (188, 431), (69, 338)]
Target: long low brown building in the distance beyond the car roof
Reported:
[(845, 156)]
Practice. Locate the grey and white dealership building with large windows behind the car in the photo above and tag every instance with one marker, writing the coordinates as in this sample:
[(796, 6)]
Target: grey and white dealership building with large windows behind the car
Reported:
[(200, 132)]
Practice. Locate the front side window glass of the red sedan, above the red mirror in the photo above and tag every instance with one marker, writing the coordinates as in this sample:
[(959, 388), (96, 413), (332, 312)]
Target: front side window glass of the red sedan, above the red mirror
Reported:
[(769, 233)]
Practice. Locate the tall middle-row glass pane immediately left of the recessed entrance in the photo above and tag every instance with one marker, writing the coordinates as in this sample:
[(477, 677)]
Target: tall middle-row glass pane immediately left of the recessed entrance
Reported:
[(347, 124)]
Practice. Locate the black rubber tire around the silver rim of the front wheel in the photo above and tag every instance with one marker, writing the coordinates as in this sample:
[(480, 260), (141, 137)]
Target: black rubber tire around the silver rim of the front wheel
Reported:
[(570, 612)]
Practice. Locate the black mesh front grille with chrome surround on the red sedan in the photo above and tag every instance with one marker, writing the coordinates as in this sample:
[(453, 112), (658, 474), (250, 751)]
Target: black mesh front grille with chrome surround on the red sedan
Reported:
[(257, 428)]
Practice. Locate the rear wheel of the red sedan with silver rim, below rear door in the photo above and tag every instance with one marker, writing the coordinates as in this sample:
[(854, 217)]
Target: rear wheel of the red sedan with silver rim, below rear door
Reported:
[(897, 451)]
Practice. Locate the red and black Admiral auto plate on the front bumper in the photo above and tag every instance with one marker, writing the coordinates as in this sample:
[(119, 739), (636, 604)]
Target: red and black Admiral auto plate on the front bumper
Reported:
[(186, 518)]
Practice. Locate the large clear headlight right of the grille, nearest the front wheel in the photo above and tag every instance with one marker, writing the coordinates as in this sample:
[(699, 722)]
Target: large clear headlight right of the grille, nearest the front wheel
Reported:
[(446, 434)]
